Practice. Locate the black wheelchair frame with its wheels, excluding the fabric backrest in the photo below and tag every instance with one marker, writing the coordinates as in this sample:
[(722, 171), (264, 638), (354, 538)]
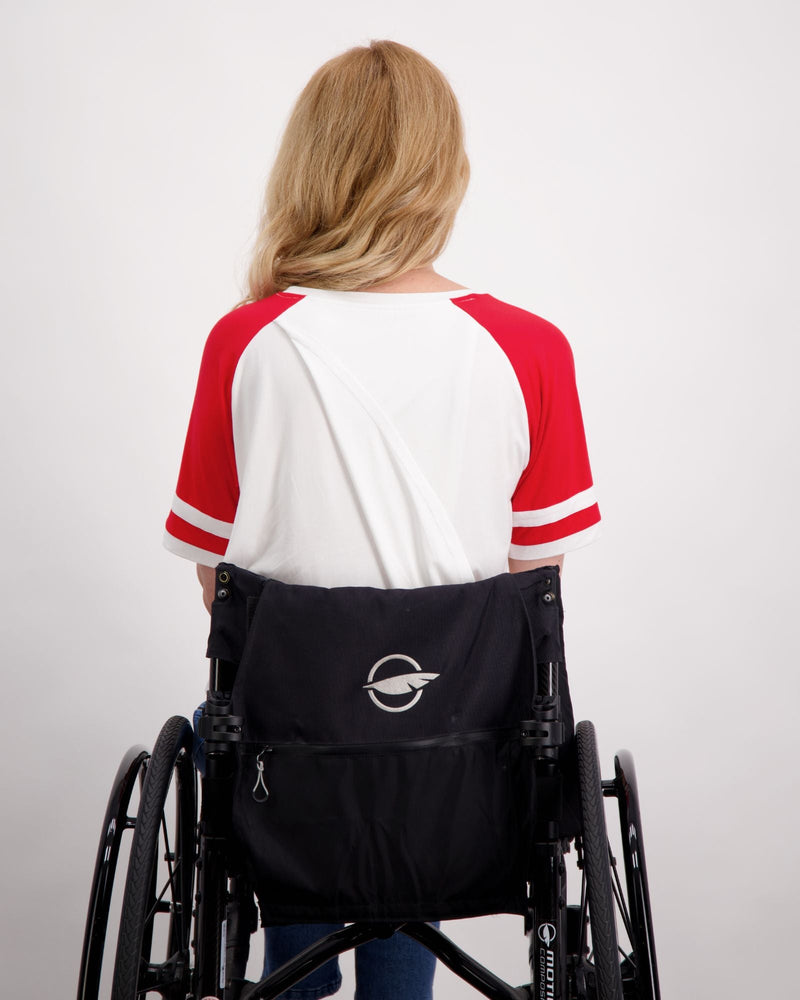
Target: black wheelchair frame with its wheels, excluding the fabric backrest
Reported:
[(183, 876)]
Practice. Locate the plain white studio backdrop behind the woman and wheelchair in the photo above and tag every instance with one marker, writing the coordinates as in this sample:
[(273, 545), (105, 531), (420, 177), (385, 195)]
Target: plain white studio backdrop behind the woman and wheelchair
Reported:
[(634, 181)]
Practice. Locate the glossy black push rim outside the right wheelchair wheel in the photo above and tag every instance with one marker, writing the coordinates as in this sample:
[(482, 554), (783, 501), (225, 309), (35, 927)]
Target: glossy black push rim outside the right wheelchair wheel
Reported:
[(641, 967)]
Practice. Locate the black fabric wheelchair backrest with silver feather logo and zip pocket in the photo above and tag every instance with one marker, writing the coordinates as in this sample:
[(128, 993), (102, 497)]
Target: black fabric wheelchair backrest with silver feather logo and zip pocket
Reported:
[(382, 772)]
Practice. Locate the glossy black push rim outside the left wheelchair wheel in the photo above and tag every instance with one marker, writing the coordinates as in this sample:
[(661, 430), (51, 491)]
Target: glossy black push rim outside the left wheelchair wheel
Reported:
[(115, 824)]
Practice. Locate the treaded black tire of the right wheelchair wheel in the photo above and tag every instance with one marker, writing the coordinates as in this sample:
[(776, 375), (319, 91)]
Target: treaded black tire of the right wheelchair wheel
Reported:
[(596, 859)]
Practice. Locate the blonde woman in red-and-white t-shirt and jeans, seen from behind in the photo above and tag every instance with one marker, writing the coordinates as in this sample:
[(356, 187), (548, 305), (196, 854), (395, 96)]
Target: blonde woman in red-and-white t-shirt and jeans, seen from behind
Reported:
[(362, 420)]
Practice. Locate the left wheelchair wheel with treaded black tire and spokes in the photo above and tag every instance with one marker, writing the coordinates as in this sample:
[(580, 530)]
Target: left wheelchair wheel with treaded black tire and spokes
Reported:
[(149, 893)]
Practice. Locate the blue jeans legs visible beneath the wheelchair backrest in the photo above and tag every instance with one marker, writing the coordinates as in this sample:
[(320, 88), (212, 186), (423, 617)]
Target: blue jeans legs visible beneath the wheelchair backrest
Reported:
[(395, 968)]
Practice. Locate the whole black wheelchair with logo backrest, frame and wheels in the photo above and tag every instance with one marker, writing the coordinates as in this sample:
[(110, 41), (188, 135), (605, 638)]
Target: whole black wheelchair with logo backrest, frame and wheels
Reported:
[(189, 903)]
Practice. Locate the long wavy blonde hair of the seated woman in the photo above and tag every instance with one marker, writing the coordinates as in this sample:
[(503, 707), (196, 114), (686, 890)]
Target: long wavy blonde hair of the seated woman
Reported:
[(368, 178)]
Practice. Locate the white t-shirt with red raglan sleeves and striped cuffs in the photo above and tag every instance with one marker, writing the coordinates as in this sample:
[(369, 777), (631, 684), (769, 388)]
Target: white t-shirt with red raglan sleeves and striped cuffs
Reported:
[(383, 439)]
